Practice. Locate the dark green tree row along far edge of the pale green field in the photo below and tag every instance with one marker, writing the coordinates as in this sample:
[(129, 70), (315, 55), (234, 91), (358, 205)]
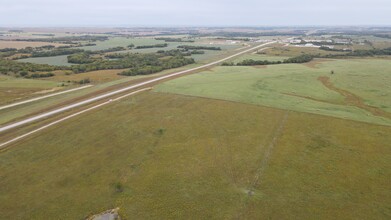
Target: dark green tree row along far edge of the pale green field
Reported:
[(250, 62)]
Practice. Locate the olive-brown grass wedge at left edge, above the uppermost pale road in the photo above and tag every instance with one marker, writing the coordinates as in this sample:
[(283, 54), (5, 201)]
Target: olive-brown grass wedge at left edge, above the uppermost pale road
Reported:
[(12, 89)]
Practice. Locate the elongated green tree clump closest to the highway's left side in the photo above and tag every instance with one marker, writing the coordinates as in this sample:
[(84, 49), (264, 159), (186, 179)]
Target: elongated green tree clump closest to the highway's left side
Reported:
[(162, 64)]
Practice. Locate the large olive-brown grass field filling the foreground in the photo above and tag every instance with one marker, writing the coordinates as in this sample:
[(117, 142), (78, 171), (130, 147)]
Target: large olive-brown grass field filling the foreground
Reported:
[(164, 156)]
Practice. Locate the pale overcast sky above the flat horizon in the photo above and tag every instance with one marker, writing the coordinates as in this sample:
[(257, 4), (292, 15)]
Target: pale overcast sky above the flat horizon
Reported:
[(193, 12)]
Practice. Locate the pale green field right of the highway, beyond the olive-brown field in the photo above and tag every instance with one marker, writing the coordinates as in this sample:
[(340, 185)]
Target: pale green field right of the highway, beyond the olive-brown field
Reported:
[(296, 86)]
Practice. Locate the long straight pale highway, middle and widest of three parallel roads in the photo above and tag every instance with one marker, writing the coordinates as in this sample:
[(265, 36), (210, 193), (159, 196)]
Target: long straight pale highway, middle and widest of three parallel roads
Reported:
[(68, 107)]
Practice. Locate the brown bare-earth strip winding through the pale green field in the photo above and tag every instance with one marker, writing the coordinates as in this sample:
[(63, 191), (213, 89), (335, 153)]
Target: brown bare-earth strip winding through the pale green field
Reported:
[(353, 100)]
